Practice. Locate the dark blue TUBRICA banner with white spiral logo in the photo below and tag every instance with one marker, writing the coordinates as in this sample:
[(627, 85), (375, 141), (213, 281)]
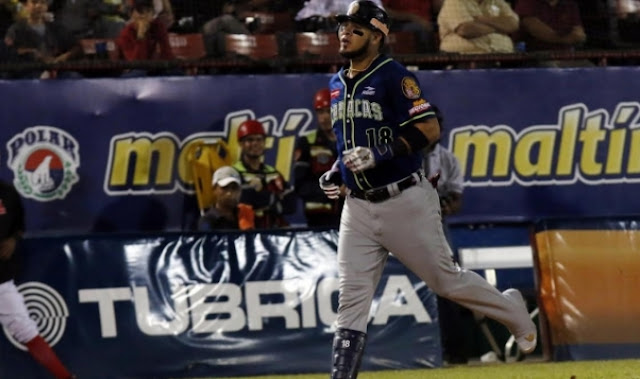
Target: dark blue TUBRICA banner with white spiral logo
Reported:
[(214, 305)]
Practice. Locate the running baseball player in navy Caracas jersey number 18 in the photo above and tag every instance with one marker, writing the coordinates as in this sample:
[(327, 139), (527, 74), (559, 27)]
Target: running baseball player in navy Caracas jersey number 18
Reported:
[(382, 122)]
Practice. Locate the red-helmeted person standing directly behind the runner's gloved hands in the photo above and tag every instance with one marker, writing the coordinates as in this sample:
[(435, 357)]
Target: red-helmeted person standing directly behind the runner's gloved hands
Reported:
[(314, 155)]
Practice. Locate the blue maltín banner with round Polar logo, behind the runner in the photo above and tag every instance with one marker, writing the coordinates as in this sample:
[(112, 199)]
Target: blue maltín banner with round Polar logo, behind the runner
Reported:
[(110, 154)]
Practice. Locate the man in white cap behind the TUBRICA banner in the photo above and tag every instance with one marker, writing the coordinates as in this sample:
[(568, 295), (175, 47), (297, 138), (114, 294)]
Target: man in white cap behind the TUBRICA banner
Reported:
[(227, 212)]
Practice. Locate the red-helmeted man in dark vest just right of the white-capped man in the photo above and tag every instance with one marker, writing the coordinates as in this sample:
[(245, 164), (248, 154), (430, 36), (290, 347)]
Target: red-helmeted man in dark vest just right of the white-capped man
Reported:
[(263, 187)]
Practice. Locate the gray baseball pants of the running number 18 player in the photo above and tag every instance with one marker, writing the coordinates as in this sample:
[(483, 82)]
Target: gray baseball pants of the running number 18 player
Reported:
[(409, 225)]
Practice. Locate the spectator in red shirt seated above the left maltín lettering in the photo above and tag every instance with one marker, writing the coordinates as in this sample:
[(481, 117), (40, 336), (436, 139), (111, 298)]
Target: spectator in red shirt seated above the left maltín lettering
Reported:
[(144, 37)]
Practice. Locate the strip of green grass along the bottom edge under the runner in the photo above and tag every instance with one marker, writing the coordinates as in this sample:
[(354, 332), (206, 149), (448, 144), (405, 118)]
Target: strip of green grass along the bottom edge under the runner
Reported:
[(517, 370)]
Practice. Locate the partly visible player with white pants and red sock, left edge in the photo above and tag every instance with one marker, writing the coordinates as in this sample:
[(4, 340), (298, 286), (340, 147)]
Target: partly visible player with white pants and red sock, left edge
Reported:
[(13, 311)]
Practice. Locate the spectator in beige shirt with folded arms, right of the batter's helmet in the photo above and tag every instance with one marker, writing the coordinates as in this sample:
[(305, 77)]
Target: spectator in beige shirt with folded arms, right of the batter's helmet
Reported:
[(476, 26)]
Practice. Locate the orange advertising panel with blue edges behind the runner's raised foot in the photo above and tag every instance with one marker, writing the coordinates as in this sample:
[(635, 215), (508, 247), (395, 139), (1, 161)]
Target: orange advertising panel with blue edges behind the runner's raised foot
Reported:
[(588, 286)]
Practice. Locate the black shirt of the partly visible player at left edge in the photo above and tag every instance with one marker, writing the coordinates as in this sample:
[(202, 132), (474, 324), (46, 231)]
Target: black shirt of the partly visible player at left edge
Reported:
[(11, 225)]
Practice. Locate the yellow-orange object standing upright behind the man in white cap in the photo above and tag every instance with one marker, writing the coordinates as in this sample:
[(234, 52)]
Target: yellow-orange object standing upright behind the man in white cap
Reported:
[(204, 158)]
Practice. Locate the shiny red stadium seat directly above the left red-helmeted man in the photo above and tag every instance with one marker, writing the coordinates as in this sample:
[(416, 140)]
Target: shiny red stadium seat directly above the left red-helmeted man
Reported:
[(257, 47)]
